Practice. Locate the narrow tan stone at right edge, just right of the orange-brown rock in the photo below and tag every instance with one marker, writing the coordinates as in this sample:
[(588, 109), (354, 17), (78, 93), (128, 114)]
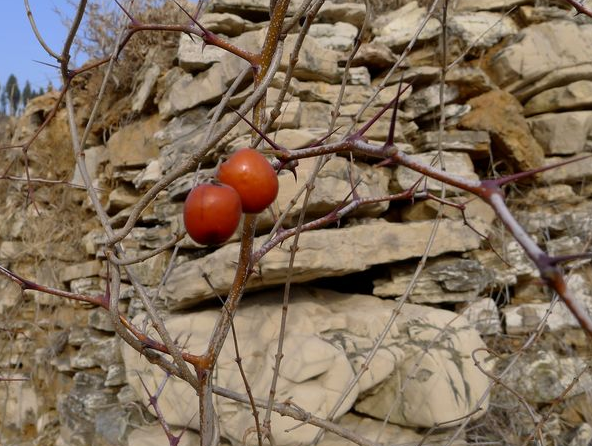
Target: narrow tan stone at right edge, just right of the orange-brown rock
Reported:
[(574, 96)]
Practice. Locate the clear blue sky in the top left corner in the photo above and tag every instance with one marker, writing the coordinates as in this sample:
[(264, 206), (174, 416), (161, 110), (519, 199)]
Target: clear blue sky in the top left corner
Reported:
[(19, 47)]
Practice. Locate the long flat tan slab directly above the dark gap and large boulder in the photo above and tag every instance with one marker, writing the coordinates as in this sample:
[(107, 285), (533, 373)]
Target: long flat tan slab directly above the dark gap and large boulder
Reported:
[(322, 253)]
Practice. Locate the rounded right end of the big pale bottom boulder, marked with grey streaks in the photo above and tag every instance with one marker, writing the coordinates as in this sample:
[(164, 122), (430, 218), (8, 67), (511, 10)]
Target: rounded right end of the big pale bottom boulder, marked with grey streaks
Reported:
[(448, 384)]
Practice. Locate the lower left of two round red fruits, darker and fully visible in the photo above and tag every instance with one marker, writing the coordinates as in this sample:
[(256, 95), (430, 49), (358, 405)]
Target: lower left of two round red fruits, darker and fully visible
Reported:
[(211, 213)]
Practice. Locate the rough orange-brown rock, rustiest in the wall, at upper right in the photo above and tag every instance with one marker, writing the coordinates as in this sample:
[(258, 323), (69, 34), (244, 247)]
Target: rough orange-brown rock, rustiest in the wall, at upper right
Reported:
[(500, 114)]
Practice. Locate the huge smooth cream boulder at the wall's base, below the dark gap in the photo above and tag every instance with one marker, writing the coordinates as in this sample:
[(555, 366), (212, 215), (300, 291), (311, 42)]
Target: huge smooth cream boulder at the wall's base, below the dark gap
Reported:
[(336, 331)]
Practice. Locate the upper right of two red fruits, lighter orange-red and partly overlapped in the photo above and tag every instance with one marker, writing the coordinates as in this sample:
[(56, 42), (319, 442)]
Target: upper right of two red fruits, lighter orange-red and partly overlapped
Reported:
[(252, 176)]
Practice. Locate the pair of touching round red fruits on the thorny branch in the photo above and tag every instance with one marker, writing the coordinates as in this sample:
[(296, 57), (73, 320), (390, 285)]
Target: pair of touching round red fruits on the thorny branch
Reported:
[(247, 183)]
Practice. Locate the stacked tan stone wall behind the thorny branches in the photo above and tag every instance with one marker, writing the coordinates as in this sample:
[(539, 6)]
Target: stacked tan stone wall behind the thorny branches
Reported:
[(517, 97)]
